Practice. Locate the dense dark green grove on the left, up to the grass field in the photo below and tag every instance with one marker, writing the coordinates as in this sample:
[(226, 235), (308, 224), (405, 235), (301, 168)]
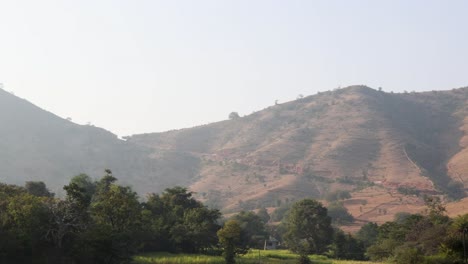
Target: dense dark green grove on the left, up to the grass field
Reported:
[(100, 222)]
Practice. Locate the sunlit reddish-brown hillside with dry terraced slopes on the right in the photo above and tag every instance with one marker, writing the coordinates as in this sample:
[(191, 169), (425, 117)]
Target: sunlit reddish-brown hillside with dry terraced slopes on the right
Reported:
[(382, 147)]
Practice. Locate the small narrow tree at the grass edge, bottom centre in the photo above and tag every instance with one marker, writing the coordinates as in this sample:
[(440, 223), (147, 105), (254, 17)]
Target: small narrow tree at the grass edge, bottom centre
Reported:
[(230, 239)]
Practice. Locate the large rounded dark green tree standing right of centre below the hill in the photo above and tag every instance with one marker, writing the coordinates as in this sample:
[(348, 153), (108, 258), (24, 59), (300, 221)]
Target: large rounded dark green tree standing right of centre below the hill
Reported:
[(309, 229)]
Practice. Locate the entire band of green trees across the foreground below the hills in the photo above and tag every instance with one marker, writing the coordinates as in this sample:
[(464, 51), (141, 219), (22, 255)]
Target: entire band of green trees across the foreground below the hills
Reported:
[(103, 222)]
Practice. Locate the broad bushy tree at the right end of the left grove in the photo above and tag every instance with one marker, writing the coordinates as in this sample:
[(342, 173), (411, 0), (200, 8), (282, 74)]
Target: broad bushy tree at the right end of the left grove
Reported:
[(179, 223)]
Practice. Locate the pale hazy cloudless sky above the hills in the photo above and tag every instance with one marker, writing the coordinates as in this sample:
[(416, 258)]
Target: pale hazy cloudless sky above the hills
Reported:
[(139, 66)]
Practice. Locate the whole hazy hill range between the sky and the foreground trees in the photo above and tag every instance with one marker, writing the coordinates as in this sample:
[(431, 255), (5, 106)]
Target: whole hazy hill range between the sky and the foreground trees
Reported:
[(381, 147)]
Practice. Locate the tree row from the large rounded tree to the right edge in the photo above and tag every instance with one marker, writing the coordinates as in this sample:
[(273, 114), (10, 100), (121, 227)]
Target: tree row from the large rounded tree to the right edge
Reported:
[(430, 237)]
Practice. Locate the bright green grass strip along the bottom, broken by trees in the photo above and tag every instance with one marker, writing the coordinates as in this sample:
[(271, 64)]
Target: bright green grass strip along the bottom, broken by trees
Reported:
[(254, 256)]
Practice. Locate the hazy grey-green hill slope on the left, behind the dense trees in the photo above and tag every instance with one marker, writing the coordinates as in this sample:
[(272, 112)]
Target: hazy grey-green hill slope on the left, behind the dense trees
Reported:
[(38, 145)]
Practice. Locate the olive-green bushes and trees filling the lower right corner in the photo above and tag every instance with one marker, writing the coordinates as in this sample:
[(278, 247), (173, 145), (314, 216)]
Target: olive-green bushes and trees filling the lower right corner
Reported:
[(431, 237)]
